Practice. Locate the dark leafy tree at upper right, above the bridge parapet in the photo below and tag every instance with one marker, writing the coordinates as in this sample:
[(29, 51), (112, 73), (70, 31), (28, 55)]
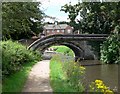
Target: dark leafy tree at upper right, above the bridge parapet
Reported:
[(96, 17)]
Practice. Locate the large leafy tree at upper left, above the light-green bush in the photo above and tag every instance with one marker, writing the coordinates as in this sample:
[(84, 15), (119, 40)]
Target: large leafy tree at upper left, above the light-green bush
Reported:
[(19, 18)]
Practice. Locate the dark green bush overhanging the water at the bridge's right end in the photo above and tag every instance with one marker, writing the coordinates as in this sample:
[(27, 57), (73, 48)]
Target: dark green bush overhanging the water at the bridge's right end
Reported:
[(110, 49)]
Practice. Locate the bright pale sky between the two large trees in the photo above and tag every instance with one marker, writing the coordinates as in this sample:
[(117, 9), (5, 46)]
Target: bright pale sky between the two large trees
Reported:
[(52, 8)]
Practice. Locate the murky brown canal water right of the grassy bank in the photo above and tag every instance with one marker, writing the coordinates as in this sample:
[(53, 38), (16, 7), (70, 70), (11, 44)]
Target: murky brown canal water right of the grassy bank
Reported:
[(108, 73)]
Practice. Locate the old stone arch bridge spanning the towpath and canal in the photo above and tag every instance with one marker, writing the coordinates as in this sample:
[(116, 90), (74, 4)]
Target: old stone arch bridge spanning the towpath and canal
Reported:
[(78, 43)]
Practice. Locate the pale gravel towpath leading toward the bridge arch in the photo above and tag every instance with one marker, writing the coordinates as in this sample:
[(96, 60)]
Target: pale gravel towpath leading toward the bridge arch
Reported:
[(38, 80)]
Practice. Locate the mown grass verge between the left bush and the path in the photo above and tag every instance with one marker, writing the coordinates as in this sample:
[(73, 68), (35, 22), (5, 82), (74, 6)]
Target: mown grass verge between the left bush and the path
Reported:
[(15, 82)]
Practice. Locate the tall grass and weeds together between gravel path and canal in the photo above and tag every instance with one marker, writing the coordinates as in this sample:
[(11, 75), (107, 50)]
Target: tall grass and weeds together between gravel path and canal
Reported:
[(66, 76)]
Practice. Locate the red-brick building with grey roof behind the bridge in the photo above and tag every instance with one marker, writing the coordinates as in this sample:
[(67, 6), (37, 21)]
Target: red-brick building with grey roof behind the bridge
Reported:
[(51, 29)]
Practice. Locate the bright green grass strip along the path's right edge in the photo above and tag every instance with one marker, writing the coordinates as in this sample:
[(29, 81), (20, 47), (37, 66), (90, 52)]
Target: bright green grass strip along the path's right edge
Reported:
[(58, 80)]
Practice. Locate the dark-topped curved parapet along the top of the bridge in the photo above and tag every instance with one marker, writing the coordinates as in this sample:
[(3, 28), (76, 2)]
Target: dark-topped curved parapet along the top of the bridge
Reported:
[(75, 37)]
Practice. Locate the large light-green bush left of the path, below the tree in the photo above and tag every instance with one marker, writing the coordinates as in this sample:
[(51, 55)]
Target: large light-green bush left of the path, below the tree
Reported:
[(14, 55)]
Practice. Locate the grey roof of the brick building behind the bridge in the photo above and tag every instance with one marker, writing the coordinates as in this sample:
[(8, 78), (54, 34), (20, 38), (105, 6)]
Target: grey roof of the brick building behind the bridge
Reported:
[(53, 26)]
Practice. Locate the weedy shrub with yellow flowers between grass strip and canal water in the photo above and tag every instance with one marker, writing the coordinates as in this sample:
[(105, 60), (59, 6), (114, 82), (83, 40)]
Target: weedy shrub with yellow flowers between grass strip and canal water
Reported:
[(75, 74)]
